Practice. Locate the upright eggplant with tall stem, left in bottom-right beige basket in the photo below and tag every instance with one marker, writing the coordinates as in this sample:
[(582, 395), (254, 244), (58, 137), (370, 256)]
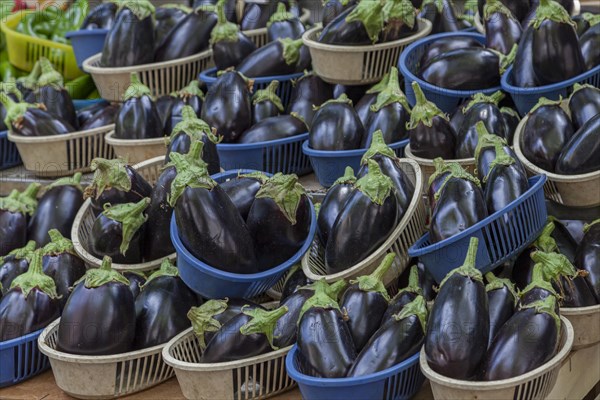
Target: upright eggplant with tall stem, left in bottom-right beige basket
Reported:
[(459, 325)]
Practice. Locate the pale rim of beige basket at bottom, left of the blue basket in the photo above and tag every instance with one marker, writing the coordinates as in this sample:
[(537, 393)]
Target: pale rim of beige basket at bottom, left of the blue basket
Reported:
[(176, 364)]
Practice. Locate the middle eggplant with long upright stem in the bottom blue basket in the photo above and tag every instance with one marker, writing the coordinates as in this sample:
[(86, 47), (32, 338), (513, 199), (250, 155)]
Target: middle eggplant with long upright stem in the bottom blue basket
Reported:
[(365, 303)]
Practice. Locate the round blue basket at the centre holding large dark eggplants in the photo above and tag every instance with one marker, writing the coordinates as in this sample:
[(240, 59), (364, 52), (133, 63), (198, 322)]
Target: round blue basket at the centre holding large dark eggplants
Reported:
[(213, 283)]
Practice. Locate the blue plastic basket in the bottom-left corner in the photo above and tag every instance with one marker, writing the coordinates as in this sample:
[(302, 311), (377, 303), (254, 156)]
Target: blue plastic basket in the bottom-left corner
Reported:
[(21, 359)]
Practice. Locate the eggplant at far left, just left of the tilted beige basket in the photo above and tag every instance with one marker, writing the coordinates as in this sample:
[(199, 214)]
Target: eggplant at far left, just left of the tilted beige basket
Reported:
[(56, 209)]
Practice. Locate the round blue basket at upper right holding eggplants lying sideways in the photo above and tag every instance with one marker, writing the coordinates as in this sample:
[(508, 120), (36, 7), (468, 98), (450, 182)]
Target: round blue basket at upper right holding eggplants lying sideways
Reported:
[(446, 99)]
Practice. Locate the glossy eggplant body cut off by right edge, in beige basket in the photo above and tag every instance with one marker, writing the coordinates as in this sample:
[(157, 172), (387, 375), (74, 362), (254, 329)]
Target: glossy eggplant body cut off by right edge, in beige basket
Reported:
[(581, 153)]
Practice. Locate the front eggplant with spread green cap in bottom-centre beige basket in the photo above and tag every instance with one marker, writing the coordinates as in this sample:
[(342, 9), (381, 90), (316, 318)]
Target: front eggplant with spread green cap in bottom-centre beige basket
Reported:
[(248, 334)]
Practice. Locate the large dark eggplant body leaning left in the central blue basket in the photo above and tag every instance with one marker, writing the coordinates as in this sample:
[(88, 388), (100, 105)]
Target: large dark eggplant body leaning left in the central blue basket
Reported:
[(218, 235)]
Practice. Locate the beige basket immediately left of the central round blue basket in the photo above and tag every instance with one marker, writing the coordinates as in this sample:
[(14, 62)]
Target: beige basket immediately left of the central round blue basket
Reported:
[(84, 220)]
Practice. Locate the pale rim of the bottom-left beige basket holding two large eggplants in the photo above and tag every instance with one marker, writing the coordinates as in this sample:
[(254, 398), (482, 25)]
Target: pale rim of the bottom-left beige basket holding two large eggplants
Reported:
[(54, 354)]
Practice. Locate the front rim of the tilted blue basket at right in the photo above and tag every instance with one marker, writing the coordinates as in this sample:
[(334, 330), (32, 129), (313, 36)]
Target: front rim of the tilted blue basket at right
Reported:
[(536, 183)]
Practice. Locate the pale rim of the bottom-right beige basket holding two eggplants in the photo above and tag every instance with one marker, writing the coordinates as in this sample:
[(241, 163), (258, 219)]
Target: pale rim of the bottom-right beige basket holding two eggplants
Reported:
[(554, 362)]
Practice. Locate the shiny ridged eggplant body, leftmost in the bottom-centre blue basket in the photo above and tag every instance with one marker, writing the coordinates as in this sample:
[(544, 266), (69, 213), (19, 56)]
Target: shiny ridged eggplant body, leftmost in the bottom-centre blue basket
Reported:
[(330, 358)]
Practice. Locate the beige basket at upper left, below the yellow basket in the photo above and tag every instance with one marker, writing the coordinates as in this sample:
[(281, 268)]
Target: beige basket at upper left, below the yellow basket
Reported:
[(62, 155)]
